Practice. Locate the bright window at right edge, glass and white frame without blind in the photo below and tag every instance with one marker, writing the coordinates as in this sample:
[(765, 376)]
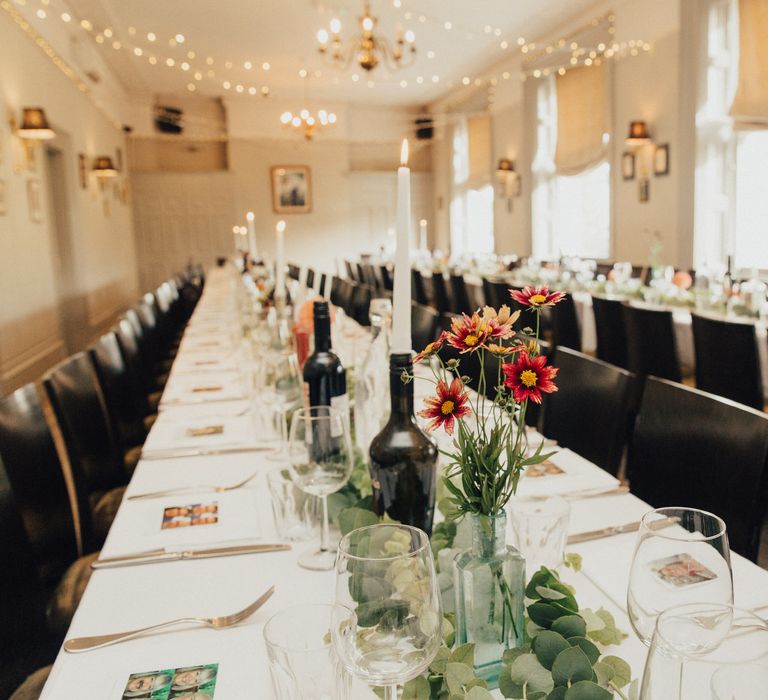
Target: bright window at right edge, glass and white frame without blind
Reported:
[(731, 165)]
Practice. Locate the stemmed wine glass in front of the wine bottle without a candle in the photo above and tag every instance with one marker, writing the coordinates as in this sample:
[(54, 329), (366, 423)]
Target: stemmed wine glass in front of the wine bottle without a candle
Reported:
[(320, 460)]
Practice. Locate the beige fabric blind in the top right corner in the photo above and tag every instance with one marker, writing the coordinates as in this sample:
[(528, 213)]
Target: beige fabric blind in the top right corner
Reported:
[(750, 106)]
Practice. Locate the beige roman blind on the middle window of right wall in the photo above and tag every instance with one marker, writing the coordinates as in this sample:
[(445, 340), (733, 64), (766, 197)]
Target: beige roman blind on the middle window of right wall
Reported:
[(582, 119)]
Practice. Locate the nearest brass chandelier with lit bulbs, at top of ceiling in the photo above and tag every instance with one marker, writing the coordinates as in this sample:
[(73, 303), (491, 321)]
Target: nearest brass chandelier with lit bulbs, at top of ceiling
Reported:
[(368, 49)]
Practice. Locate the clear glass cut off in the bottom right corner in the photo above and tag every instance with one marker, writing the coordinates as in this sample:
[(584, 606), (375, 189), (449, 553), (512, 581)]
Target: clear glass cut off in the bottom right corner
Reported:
[(691, 642)]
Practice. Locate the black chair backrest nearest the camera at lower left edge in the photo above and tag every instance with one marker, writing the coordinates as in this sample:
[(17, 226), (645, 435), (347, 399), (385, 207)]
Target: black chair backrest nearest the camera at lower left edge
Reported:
[(23, 635)]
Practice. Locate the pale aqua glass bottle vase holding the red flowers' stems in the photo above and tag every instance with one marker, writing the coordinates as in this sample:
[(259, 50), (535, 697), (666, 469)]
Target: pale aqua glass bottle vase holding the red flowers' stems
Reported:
[(489, 586)]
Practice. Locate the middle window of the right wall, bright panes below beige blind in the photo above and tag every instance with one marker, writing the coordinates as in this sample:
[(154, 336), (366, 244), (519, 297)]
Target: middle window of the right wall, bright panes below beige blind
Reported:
[(571, 213)]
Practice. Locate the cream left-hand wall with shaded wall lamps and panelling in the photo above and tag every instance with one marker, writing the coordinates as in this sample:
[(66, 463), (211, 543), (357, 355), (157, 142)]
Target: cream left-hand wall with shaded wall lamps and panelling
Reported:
[(102, 280)]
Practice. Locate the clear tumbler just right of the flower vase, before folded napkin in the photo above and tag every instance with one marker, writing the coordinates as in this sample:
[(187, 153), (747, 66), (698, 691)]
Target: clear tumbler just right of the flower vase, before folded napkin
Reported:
[(540, 530)]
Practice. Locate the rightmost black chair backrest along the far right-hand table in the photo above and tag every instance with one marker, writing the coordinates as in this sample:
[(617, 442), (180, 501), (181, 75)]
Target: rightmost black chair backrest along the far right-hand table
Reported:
[(710, 338)]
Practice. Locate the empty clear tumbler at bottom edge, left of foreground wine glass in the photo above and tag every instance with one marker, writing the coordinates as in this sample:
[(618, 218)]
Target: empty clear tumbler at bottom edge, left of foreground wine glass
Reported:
[(302, 661)]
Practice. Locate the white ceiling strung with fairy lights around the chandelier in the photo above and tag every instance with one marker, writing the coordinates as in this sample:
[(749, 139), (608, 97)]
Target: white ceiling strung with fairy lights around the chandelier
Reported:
[(283, 34)]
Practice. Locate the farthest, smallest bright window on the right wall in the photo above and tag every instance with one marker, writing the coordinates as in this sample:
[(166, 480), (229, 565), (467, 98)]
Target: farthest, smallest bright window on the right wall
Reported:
[(472, 201)]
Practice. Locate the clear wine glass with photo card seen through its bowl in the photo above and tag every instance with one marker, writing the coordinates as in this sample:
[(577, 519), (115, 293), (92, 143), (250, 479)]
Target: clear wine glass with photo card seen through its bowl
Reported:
[(681, 556)]
